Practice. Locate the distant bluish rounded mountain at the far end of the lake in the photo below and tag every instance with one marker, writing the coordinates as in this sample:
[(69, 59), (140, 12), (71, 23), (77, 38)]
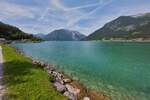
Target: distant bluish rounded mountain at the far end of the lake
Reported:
[(64, 35)]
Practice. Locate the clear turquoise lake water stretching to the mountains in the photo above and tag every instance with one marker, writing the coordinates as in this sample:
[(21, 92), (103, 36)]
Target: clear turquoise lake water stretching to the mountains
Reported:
[(121, 70)]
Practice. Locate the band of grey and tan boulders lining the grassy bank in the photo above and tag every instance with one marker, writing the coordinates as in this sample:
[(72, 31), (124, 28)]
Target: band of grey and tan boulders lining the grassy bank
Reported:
[(61, 82)]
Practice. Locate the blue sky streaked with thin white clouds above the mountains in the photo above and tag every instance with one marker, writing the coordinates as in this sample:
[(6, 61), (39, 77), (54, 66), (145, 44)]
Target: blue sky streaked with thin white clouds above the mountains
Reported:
[(85, 16)]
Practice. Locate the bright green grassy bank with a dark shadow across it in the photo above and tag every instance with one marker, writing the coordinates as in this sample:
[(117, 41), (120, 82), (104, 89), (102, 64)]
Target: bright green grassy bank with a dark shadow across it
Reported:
[(25, 81)]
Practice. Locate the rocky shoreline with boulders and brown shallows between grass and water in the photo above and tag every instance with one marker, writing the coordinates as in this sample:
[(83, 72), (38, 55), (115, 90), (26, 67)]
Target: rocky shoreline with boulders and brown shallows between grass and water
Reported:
[(65, 84)]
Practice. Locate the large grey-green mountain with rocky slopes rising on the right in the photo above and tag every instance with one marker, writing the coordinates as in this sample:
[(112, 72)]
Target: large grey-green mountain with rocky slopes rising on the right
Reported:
[(124, 27)]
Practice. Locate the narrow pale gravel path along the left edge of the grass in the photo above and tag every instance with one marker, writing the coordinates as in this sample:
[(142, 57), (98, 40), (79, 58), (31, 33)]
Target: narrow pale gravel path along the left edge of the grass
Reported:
[(1, 75)]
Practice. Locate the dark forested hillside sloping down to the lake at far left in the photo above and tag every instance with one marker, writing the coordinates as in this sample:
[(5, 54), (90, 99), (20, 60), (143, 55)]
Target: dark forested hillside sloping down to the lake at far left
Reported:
[(10, 32)]
